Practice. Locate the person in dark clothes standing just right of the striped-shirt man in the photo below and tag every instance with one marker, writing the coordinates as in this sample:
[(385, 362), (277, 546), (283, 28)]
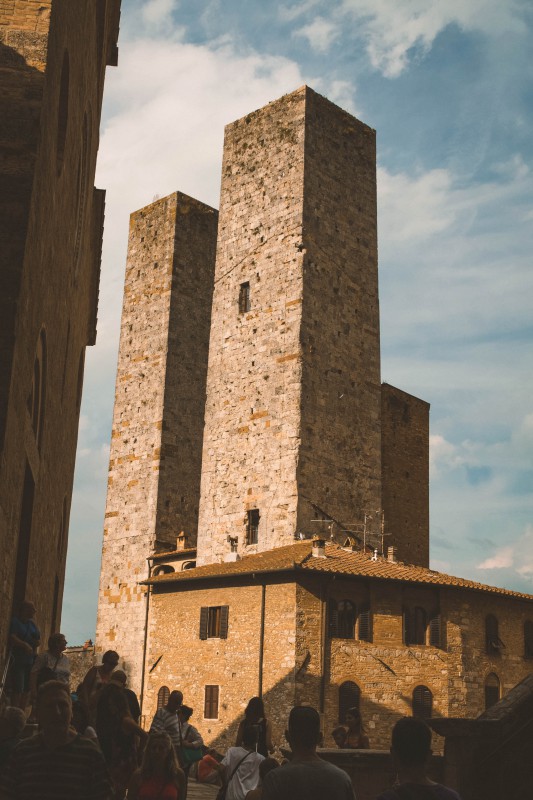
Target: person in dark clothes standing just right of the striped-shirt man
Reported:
[(118, 735)]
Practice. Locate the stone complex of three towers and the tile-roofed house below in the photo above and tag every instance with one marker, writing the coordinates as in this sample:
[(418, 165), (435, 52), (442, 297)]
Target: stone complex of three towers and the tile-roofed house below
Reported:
[(300, 439)]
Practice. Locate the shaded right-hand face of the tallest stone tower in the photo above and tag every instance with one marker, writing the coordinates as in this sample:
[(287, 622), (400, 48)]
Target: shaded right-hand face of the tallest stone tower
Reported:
[(339, 467)]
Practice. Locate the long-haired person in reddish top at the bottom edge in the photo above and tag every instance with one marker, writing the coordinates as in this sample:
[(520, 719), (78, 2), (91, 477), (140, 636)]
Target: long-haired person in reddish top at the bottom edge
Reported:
[(160, 776)]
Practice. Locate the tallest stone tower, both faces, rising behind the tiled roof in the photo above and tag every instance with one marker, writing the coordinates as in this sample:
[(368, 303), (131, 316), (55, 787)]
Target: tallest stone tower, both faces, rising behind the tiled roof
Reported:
[(292, 427)]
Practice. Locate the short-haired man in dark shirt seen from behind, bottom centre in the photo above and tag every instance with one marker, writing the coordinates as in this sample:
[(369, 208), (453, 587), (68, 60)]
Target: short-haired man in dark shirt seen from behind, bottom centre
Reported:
[(306, 775)]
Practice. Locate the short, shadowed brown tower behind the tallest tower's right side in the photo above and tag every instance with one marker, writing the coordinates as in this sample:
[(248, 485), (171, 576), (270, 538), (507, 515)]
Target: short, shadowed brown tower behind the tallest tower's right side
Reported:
[(405, 474)]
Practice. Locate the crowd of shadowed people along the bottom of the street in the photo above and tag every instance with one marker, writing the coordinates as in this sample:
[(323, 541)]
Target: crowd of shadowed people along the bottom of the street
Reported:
[(89, 744)]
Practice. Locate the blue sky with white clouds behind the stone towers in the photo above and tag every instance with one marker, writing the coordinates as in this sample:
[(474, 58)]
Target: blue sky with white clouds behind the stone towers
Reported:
[(447, 84)]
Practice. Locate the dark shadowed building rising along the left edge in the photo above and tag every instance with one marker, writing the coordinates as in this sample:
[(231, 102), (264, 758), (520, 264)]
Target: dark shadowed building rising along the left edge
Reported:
[(53, 59)]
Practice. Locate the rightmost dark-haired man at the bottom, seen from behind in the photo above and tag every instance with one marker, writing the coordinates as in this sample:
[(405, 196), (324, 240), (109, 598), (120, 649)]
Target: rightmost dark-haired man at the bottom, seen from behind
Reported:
[(411, 750)]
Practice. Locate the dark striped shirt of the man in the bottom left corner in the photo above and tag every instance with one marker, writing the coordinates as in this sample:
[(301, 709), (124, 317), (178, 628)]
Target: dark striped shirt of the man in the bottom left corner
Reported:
[(73, 770)]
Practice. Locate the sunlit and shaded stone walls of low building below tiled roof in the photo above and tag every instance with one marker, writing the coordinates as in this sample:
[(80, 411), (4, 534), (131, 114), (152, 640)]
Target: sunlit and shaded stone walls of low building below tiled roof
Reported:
[(302, 664)]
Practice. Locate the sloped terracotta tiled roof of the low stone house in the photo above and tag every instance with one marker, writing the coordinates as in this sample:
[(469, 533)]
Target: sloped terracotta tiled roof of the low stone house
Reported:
[(338, 561)]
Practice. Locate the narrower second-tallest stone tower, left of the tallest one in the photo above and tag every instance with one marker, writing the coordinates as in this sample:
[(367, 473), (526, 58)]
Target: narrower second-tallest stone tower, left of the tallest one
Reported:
[(155, 459)]
